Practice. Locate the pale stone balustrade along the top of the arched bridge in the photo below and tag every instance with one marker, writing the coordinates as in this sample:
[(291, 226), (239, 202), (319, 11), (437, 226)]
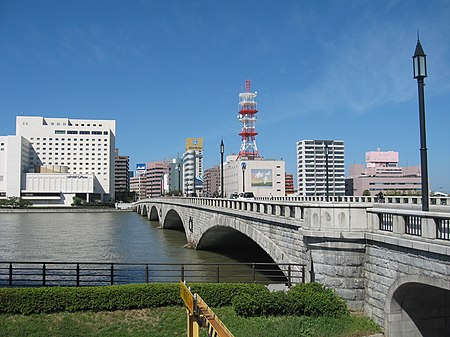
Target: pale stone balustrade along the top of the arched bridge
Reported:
[(337, 218)]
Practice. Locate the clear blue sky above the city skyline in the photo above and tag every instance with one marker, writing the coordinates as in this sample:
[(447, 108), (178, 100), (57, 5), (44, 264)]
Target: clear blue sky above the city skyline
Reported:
[(168, 70)]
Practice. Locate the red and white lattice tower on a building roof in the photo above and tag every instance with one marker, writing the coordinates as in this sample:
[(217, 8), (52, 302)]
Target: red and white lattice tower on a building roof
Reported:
[(247, 117)]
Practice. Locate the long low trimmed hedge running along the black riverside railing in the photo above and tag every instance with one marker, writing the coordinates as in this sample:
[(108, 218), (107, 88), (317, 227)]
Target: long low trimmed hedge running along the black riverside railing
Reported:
[(52, 299)]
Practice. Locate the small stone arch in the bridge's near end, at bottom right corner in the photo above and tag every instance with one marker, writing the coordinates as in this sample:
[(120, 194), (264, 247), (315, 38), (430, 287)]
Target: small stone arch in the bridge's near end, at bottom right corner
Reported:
[(418, 306)]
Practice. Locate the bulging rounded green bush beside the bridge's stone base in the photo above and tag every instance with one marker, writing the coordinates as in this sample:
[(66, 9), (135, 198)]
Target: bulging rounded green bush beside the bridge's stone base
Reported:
[(310, 299)]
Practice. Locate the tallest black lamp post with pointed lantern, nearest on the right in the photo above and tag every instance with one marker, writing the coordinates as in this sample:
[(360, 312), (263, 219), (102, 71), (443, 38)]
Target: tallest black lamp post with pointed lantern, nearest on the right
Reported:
[(420, 72)]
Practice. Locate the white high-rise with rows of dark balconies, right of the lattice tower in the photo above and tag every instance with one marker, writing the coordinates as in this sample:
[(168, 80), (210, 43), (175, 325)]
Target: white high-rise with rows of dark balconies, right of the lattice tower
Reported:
[(320, 167)]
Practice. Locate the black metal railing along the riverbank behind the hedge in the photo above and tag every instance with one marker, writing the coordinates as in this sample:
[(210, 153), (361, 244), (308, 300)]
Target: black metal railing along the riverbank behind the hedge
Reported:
[(29, 274)]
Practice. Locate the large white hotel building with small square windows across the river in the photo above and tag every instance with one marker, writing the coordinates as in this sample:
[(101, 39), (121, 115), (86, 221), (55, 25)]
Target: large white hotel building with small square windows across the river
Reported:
[(51, 160)]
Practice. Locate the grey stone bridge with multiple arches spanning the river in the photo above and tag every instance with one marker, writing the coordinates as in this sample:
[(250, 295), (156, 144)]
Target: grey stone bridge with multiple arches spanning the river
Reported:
[(390, 260)]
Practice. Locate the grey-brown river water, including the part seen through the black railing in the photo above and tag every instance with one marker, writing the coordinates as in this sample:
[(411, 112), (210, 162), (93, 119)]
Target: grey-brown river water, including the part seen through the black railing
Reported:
[(113, 237)]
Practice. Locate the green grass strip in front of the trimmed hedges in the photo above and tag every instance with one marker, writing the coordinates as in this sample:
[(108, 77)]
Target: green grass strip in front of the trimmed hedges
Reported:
[(171, 321)]
